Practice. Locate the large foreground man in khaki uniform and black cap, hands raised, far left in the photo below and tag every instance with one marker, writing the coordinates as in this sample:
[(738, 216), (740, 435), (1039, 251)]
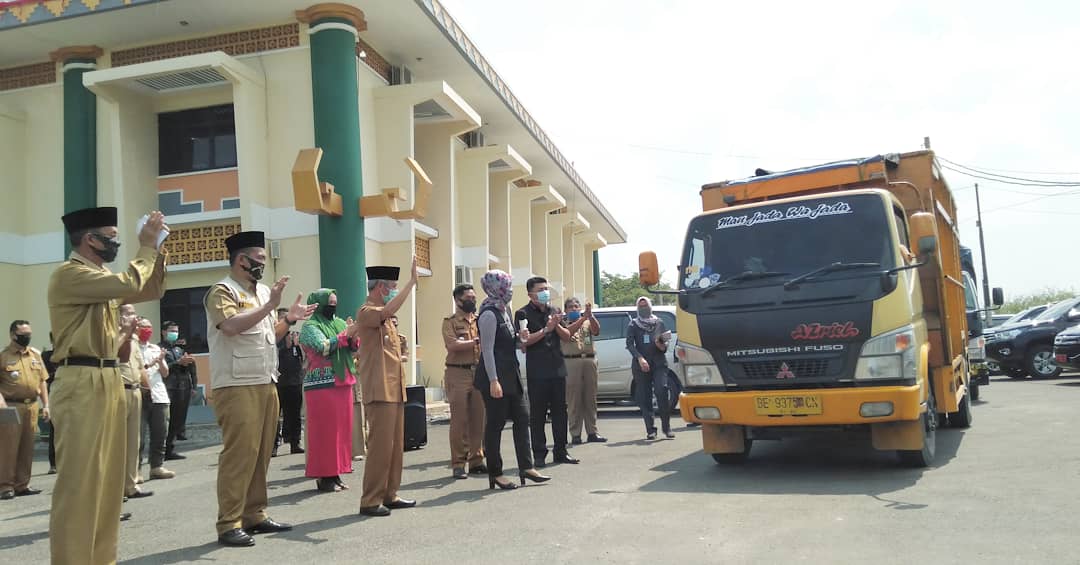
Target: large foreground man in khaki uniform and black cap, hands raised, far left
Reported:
[(88, 396)]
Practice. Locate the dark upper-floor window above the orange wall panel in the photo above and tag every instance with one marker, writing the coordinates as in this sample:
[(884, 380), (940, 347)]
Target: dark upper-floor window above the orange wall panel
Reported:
[(199, 140)]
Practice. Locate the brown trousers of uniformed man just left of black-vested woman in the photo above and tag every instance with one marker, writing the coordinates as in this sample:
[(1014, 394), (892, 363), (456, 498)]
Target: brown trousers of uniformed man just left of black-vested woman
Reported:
[(467, 419)]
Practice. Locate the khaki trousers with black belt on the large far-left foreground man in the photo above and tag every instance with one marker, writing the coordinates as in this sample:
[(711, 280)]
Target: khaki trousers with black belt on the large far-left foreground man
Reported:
[(89, 411)]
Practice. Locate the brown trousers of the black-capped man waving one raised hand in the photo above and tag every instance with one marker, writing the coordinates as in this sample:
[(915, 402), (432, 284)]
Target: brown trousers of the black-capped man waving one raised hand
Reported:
[(386, 448)]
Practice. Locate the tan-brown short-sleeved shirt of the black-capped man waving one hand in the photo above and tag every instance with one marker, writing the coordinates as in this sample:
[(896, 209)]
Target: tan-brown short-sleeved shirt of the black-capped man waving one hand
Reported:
[(380, 358)]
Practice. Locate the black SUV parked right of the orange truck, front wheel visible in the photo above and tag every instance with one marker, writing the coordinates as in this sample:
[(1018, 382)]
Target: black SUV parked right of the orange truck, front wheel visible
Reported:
[(1028, 348)]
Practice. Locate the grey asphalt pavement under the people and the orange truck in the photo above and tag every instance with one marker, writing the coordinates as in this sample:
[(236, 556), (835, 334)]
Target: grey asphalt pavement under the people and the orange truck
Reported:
[(1005, 491)]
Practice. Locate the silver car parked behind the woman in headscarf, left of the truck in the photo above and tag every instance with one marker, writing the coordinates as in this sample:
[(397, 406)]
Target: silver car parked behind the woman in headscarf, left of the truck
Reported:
[(614, 361)]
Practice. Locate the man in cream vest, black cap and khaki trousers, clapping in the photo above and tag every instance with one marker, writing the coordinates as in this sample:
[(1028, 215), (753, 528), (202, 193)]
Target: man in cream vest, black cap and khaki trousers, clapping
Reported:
[(244, 332)]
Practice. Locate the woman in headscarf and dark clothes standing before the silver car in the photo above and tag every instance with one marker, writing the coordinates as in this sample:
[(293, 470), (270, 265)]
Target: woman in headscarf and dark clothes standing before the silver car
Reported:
[(647, 340)]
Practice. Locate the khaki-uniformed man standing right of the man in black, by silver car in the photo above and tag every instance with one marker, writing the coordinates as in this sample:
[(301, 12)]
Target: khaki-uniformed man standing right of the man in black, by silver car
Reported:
[(579, 353)]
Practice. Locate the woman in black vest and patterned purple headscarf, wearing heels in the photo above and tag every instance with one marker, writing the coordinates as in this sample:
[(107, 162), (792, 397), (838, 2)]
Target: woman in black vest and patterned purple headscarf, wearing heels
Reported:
[(502, 387)]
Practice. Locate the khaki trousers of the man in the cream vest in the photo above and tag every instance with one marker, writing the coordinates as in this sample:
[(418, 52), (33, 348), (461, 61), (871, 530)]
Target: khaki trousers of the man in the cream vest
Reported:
[(249, 421)]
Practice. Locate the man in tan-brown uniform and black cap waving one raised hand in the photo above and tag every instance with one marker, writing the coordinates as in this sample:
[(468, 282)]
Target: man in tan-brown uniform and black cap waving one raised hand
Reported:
[(383, 381)]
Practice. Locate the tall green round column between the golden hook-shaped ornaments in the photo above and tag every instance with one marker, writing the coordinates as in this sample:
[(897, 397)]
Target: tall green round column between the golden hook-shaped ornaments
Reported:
[(337, 132)]
